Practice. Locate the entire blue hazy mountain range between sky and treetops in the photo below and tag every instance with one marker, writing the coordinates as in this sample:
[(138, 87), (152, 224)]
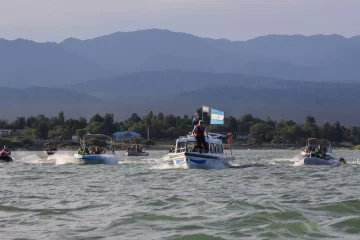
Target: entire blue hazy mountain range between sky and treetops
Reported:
[(276, 75)]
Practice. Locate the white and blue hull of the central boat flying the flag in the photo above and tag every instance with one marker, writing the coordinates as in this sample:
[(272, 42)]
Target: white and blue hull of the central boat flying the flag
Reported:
[(200, 161)]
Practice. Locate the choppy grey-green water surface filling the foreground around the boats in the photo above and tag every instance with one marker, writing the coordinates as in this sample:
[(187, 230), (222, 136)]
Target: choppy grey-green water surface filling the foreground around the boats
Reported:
[(145, 198)]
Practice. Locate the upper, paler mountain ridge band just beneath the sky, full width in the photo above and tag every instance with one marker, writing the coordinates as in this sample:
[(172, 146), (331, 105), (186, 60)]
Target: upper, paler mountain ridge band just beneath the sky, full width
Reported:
[(25, 63)]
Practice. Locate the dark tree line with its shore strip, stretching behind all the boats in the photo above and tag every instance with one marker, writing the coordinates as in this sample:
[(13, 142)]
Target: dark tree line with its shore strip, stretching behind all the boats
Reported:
[(35, 132)]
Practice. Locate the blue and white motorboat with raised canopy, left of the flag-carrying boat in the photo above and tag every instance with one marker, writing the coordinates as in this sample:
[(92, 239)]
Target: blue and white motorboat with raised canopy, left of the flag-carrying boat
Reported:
[(103, 157)]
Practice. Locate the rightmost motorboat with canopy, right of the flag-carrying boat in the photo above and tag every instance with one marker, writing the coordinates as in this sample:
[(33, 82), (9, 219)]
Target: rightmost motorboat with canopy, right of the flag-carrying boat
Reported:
[(329, 159)]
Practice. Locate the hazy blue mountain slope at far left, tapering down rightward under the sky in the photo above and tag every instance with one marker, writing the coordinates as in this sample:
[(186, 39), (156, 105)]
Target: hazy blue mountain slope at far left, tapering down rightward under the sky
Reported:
[(25, 63)]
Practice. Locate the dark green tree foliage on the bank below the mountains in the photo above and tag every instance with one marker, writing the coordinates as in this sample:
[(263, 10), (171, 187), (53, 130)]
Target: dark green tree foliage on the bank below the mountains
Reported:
[(169, 127)]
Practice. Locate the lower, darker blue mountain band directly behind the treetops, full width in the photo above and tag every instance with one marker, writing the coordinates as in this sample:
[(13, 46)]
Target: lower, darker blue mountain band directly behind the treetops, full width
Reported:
[(182, 92)]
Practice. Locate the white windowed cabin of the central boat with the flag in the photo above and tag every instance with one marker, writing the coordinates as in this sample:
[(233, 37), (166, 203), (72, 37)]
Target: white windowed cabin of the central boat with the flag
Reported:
[(188, 144)]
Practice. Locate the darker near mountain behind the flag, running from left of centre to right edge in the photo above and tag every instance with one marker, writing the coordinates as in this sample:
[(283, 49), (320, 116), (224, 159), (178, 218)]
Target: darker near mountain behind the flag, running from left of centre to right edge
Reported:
[(237, 94)]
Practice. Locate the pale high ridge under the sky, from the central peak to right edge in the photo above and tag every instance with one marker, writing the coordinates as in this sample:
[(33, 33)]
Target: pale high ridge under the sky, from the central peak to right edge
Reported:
[(313, 58)]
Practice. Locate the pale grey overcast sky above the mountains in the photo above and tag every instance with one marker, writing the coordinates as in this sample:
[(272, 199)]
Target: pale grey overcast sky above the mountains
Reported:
[(56, 20)]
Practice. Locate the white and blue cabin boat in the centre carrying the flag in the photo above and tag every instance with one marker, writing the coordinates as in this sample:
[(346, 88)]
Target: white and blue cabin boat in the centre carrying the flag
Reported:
[(187, 155)]
